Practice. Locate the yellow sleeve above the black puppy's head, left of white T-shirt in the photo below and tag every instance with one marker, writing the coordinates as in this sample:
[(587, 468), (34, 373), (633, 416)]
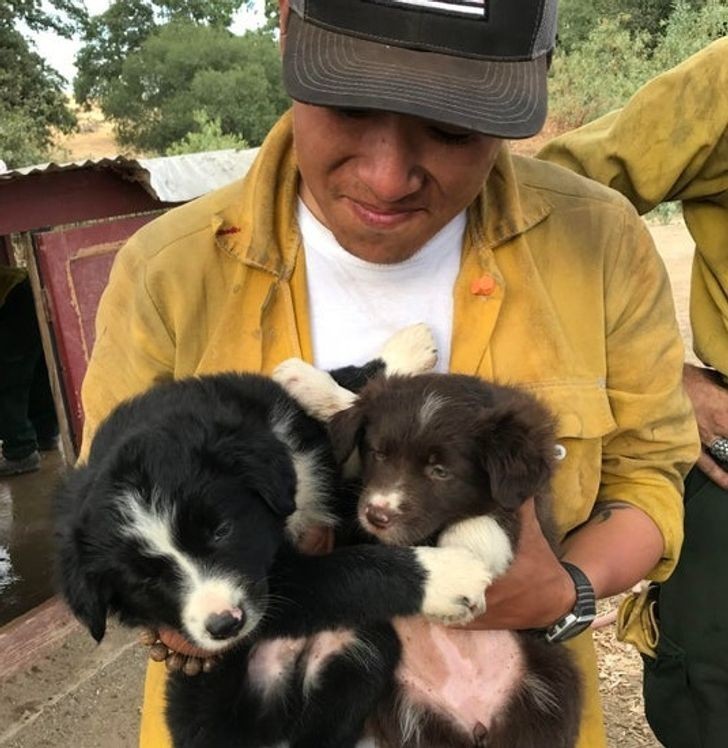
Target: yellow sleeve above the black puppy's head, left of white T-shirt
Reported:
[(134, 347)]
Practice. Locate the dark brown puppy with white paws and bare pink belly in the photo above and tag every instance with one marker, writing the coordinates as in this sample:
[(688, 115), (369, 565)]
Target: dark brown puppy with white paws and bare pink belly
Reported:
[(447, 460)]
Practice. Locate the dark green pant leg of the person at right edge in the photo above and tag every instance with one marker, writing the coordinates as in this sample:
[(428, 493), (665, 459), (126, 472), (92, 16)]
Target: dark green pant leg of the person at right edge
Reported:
[(686, 687)]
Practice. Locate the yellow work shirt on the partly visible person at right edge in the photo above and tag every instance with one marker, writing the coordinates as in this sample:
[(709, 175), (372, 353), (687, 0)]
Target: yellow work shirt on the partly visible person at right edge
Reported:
[(670, 142)]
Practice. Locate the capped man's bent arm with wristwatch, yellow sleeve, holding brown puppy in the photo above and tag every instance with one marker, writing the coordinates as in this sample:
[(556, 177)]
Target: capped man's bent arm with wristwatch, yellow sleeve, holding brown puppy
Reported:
[(635, 528)]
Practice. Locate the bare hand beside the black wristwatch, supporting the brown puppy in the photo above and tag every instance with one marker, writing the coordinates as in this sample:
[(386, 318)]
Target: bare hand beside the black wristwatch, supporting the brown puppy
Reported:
[(535, 591)]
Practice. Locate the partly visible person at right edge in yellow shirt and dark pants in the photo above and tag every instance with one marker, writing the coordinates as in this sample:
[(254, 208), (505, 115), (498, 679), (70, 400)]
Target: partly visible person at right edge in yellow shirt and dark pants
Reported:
[(670, 142)]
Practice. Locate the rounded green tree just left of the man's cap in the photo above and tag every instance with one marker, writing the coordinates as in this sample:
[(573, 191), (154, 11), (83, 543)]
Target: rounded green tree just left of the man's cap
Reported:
[(184, 68)]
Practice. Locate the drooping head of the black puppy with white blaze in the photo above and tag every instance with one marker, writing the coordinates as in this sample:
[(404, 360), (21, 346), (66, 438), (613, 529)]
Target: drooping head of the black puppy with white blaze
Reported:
[(177, 526)]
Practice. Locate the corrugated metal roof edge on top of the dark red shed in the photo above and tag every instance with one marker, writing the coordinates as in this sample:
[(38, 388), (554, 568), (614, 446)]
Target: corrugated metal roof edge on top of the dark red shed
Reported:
[(168, 178)]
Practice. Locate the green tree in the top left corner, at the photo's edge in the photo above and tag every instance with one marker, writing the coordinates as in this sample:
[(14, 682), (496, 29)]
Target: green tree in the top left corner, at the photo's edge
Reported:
[(33, 104)]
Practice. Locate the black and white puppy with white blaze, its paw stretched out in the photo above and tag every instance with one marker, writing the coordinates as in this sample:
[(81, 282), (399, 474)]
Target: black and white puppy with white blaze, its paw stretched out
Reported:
[(186, 515)]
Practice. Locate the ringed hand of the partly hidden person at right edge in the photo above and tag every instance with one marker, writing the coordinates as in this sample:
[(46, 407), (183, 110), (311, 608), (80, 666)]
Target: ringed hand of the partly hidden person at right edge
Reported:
[(710, 402)]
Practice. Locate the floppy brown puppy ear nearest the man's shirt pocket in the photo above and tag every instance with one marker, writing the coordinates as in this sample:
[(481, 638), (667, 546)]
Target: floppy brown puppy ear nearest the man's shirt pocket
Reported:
[(517, 451)]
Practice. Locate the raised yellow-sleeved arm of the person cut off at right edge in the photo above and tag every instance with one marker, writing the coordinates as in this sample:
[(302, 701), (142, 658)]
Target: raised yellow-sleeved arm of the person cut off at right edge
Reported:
[(665, 143)]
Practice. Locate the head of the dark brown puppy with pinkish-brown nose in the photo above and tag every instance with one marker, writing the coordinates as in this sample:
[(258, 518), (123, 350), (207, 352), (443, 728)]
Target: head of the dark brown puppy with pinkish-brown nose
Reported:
[(437, 449)]
